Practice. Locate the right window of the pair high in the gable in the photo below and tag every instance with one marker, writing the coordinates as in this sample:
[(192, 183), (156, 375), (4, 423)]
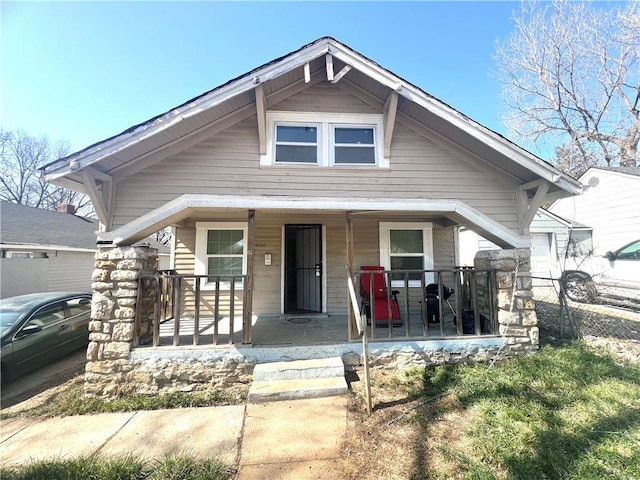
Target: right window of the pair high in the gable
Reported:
[(354, 145)]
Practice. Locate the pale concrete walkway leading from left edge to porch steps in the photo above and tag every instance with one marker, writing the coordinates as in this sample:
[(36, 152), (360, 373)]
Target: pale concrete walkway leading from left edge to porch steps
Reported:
[(296, 439)]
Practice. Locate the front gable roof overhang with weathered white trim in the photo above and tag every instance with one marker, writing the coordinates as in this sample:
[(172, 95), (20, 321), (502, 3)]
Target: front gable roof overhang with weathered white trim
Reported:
[(282, 78)]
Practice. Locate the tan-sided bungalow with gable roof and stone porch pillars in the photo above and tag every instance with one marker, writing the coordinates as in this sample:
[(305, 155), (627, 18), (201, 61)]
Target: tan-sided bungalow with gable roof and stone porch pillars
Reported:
[(283, 175)]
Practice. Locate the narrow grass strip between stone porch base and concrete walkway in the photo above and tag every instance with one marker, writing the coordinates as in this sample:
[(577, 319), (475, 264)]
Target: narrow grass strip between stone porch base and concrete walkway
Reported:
[(71, 401)]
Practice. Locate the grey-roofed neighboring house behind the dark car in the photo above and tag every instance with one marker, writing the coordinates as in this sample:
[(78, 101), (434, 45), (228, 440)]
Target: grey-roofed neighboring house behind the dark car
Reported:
[(47, 251)]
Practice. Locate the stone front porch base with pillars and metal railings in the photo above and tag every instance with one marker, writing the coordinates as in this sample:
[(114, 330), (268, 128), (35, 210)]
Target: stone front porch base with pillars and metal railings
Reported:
[(139, 345)]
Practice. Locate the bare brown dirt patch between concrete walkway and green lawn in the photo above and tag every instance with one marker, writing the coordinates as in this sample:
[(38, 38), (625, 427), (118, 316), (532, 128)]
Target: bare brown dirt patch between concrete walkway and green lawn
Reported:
[(405, 436)]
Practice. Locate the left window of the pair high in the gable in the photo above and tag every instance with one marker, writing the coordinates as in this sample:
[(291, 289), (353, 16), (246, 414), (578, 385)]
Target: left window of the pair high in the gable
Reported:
[(296, 144)]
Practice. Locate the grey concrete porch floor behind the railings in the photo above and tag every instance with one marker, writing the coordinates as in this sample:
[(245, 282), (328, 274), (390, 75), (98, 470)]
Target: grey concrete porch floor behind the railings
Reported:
[(298, 330)]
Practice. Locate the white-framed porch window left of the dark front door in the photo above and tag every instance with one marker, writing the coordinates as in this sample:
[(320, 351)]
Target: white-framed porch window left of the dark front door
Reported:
[(220, 252)]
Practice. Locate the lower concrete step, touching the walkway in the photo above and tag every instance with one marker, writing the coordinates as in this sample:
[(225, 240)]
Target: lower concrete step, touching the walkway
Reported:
[(272, 390)]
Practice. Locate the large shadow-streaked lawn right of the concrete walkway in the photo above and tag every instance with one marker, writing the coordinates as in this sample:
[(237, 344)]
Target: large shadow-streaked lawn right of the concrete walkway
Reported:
[(565, 413)]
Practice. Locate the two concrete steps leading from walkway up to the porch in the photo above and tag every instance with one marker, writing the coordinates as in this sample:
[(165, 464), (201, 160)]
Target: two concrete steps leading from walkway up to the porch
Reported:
[(298, 379)]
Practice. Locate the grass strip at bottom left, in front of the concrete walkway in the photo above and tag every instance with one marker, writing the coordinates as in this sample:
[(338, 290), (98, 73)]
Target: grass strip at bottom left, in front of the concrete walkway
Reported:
[(126, 468)]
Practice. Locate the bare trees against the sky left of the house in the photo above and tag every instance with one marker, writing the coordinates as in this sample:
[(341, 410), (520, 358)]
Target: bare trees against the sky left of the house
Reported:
[(20, 181)]
